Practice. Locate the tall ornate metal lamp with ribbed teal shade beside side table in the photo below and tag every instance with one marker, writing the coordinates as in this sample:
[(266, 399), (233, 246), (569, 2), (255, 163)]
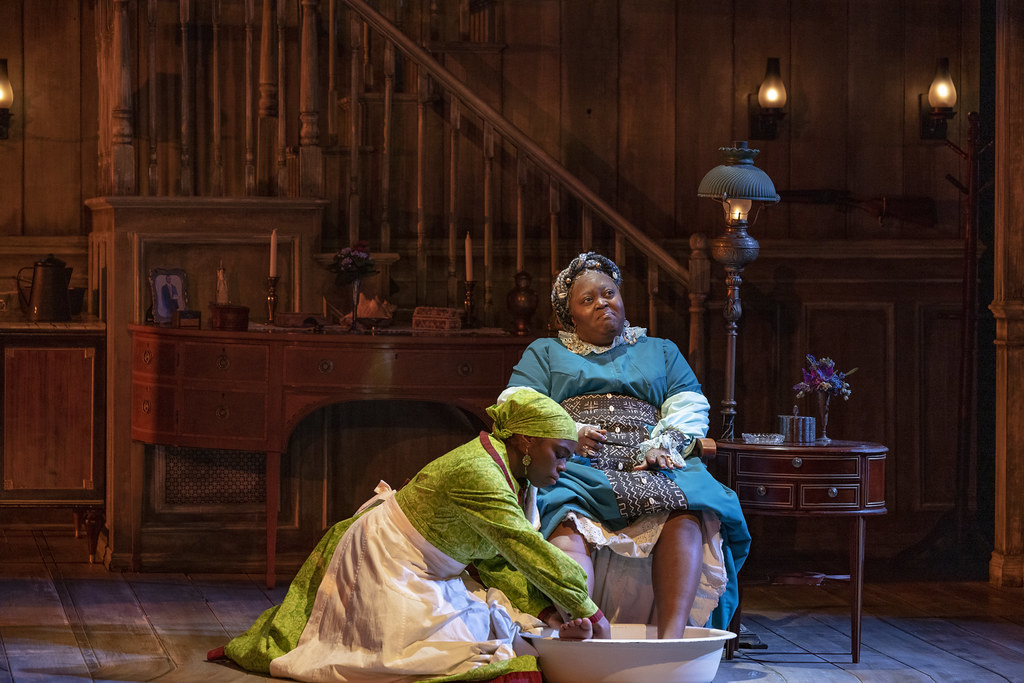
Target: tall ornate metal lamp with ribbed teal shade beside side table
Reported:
[(737, 186)]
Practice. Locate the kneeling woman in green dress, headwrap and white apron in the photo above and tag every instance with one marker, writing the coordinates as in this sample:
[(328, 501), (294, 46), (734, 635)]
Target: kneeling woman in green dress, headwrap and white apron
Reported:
[(386, 595)]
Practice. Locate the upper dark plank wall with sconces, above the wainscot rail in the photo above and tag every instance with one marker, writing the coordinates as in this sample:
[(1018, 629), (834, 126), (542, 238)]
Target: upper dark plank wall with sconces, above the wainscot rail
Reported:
[(635, 98)]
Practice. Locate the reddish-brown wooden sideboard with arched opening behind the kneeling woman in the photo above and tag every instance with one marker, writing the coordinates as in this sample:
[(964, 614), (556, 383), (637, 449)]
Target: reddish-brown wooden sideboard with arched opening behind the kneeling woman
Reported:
[(248, 391)]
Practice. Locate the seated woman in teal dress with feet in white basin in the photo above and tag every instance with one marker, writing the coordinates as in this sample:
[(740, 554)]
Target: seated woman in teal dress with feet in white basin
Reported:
[(634, 489)]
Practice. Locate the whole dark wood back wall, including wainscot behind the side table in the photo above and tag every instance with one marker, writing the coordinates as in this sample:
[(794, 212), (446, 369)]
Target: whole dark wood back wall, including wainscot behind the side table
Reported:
[(635, 99)]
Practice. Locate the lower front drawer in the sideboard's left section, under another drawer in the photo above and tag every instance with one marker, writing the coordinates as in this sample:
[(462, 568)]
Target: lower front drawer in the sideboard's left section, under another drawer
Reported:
[(225, 414)]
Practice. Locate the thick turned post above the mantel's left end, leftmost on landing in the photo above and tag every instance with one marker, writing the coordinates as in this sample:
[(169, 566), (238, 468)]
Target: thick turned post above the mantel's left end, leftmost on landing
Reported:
[(123, 150)]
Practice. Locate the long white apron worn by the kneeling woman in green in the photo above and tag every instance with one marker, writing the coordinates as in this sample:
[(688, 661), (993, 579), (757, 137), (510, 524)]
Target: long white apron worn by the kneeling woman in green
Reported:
[(393, 608)]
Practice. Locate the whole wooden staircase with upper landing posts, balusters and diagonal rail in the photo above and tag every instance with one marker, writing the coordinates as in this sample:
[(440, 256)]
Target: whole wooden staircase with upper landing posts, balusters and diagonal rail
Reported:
[(406, 155)]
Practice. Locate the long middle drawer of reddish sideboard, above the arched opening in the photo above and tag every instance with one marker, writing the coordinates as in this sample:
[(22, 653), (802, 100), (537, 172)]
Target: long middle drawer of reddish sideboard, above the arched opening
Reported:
[(419, 368)]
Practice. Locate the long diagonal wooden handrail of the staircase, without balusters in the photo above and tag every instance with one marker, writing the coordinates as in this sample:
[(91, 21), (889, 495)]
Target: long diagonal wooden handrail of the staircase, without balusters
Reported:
[(543, 160)]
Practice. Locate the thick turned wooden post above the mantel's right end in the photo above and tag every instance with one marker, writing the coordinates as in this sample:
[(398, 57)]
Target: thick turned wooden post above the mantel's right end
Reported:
[(311, 152)]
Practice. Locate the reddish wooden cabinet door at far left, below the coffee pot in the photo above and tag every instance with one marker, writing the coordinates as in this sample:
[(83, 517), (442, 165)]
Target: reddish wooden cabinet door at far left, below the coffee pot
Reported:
[(49, 422)]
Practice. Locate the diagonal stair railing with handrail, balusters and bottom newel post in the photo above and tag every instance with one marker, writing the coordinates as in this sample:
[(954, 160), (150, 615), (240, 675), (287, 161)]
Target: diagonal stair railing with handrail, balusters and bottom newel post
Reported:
[(696, 279)]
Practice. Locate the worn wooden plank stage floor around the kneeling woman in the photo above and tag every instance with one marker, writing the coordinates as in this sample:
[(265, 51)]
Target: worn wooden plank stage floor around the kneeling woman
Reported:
[(65, 620)]
